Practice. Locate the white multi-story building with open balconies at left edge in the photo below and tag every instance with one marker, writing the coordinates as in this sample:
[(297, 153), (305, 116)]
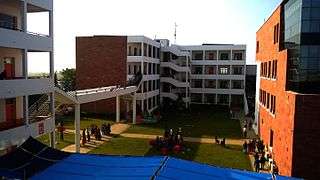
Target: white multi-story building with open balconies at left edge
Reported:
[(26, 105)]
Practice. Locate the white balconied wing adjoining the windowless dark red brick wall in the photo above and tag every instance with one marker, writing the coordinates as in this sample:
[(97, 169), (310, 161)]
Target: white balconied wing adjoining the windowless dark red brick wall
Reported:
[(143, 55)]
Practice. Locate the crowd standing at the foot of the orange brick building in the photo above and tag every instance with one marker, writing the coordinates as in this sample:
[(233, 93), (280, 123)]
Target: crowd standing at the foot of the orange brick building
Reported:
[(262, 157)]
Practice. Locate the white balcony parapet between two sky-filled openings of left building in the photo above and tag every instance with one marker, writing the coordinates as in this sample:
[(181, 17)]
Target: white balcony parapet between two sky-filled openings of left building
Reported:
[(21, 40)]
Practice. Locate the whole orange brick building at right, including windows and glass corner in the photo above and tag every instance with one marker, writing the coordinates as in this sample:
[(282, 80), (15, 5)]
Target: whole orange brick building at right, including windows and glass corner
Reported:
[(289, 96)]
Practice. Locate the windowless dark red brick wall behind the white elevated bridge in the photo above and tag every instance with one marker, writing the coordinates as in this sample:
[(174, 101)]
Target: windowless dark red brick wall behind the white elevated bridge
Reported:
[(101, 61)]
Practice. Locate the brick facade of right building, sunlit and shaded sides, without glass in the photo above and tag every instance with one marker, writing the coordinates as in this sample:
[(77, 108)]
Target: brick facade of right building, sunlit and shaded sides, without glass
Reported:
[(296, 121)]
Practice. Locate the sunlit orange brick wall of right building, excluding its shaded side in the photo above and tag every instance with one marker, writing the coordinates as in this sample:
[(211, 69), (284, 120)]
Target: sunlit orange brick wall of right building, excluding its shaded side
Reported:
[(282, 122)]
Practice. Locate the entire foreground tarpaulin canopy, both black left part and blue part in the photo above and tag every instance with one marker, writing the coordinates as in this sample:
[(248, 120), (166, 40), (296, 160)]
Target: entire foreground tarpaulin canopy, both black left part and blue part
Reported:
[(37, 161)]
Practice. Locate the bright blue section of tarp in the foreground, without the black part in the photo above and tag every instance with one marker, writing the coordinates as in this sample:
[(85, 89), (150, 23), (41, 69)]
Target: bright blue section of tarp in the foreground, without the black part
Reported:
[(81, 166)]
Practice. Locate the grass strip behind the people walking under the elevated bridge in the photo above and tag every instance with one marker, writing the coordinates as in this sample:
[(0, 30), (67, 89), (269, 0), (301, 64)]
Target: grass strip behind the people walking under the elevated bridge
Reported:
[(85, 122)]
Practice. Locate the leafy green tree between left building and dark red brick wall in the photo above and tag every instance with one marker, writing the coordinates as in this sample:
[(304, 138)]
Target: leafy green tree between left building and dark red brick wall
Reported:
[(68, 79)]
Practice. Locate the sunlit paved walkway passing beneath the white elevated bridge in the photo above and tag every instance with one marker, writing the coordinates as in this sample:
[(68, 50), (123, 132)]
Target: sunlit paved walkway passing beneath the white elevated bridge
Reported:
[(115, 130)]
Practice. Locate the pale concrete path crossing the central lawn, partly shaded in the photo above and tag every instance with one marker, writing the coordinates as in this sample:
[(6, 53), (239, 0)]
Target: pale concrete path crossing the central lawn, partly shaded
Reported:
[(188, 139)]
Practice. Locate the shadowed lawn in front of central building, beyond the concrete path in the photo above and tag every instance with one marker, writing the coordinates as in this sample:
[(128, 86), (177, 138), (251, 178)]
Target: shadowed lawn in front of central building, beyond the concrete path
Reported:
[(202, 121)]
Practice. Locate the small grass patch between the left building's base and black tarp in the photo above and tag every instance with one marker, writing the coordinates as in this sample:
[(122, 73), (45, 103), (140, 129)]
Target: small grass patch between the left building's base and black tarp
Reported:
[(68, 140)]
